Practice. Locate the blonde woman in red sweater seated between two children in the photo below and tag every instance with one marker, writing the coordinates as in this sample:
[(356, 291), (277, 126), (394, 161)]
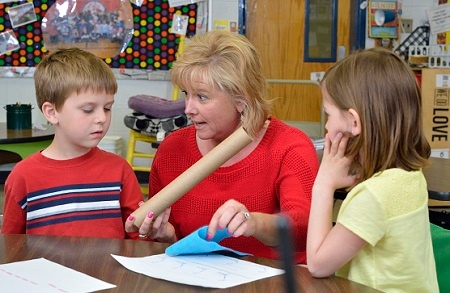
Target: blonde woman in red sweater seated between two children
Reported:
[(221, 76)]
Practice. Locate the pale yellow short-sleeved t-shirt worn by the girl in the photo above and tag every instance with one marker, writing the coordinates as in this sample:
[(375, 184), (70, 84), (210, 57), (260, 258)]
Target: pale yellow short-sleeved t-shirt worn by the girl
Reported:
[(390, 212)]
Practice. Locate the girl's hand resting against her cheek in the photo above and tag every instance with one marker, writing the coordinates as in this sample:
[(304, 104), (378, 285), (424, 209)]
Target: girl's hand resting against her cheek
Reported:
[(334, 168)]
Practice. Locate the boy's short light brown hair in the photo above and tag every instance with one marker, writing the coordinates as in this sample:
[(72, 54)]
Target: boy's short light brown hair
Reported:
[(67, 71)]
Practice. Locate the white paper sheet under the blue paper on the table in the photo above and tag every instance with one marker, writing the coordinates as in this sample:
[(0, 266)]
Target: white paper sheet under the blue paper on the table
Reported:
[(205, 270)]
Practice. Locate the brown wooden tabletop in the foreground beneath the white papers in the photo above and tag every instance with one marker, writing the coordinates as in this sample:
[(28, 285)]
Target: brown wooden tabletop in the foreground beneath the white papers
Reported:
[(92, 257)]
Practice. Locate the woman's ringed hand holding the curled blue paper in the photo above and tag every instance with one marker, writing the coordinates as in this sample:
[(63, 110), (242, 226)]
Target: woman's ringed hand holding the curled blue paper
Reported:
[(235, 217)]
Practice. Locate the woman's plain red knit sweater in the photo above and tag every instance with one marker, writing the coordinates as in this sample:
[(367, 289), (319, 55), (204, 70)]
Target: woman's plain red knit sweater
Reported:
[(277, 177)]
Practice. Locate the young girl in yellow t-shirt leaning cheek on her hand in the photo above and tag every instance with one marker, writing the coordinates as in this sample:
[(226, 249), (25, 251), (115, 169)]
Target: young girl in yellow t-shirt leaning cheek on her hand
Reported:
[(375, 146)]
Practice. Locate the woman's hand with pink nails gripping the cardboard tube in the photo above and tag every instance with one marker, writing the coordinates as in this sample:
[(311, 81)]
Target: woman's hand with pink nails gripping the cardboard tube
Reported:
[(157, 228)]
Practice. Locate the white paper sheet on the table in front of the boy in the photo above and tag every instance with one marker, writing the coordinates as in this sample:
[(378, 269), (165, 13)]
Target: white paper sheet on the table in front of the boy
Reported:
[(42, 275)]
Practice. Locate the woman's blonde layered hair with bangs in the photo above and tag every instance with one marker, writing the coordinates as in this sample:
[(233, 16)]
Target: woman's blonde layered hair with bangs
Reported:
[(230, 63)]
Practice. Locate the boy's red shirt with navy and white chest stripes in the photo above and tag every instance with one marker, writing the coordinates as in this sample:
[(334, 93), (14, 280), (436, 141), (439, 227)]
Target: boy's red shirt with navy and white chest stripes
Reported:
[(91, 195)]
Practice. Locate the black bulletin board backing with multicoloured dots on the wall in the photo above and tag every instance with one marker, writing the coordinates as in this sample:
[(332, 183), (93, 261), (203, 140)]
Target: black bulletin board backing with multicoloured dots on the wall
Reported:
[(151, 47)]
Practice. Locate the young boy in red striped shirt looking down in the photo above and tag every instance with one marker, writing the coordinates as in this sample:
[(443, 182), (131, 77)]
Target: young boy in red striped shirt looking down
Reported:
[(72, 187)]
